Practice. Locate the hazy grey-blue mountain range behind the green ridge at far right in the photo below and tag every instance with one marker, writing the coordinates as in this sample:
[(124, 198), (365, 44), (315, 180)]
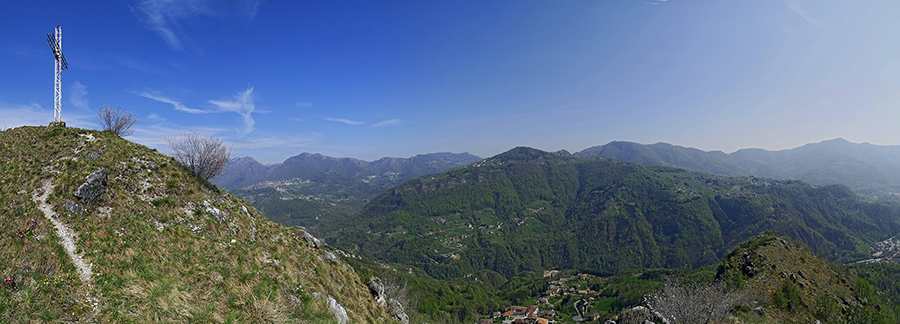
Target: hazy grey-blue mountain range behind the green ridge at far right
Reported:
[(867, 169)]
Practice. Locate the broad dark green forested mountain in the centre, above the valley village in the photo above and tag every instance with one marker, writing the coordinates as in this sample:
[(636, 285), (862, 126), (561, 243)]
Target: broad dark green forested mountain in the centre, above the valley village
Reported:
[(527, 210)]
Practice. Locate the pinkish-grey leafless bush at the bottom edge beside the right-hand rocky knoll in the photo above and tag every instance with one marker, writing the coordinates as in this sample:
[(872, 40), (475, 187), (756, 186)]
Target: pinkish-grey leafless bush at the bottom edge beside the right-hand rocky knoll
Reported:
[(694, 303)]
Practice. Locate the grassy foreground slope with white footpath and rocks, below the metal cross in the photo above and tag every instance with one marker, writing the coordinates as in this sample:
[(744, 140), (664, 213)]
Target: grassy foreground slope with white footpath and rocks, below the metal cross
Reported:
[(158, 245)]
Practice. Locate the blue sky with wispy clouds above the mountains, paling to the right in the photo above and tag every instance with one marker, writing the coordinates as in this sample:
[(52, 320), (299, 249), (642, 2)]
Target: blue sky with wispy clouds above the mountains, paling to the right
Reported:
[(370, 79)]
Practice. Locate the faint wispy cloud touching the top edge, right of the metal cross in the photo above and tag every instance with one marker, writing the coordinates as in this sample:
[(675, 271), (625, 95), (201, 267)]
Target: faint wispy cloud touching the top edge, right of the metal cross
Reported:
[(165, 16)]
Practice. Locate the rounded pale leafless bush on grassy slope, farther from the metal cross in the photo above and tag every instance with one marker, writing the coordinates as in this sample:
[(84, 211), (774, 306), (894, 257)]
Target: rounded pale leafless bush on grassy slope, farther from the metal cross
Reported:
[(205, 157)]
